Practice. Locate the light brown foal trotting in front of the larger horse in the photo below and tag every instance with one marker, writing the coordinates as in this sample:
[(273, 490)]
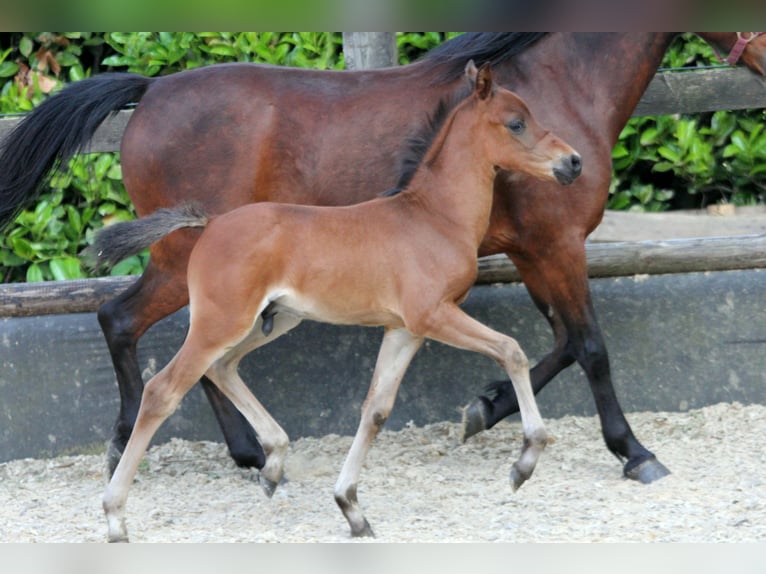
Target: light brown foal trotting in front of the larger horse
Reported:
[(285, 263)]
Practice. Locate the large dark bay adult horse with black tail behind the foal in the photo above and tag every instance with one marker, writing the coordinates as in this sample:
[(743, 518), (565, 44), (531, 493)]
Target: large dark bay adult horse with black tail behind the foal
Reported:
[(227, 135)]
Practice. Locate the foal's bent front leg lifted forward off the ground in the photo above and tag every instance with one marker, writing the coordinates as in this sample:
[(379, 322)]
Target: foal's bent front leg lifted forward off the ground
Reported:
[(452, 326)]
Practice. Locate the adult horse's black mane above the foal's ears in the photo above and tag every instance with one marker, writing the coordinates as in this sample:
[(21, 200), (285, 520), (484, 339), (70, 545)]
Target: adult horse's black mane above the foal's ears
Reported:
[(481, 47)]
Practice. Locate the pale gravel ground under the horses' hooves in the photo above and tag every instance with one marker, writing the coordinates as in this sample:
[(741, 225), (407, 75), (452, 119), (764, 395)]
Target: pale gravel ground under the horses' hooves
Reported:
[(422, 485)]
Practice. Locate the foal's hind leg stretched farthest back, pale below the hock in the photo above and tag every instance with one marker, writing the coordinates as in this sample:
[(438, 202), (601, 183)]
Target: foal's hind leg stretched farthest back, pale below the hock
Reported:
[(161, 396)]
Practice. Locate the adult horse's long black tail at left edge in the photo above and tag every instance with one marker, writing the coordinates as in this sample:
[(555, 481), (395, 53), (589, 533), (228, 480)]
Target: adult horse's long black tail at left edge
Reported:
[(56, 130)]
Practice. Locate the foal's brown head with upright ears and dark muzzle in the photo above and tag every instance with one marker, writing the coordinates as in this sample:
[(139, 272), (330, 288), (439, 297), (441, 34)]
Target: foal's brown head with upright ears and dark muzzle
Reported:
[(513, 139)]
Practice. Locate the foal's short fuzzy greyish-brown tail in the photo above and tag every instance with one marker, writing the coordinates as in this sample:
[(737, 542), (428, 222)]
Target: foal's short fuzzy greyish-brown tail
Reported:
[(121, 240)]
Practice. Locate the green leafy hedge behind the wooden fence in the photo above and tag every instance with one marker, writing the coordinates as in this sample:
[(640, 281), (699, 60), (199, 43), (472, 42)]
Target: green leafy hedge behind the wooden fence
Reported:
[(660, 163)]
